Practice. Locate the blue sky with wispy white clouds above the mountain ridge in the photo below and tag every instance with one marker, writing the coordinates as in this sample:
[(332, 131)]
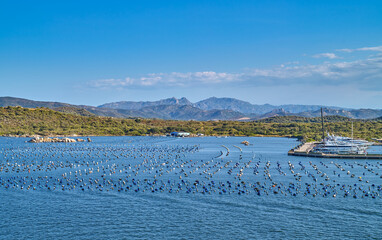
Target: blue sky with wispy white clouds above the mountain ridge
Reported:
[(277, 52)]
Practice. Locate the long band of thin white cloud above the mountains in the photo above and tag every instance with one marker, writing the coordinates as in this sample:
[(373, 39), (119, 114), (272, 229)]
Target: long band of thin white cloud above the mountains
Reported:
[(364, 74)]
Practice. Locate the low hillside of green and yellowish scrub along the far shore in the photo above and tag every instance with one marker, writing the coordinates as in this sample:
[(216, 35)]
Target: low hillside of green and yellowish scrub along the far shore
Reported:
[(43, 121)]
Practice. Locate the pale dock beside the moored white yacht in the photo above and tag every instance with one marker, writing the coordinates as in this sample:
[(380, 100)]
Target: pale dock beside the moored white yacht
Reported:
[(305, 150)]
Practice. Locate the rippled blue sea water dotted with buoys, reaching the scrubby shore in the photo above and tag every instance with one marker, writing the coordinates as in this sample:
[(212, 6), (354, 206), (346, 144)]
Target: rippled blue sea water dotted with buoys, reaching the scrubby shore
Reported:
[(191, 188)]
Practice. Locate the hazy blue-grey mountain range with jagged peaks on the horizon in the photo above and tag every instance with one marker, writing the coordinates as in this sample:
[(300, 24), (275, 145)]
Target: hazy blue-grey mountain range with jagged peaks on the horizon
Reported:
[(182, 109)]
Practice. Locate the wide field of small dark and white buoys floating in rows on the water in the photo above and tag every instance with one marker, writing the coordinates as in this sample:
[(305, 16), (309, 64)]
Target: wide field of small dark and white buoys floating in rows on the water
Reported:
[(184, 169)]
